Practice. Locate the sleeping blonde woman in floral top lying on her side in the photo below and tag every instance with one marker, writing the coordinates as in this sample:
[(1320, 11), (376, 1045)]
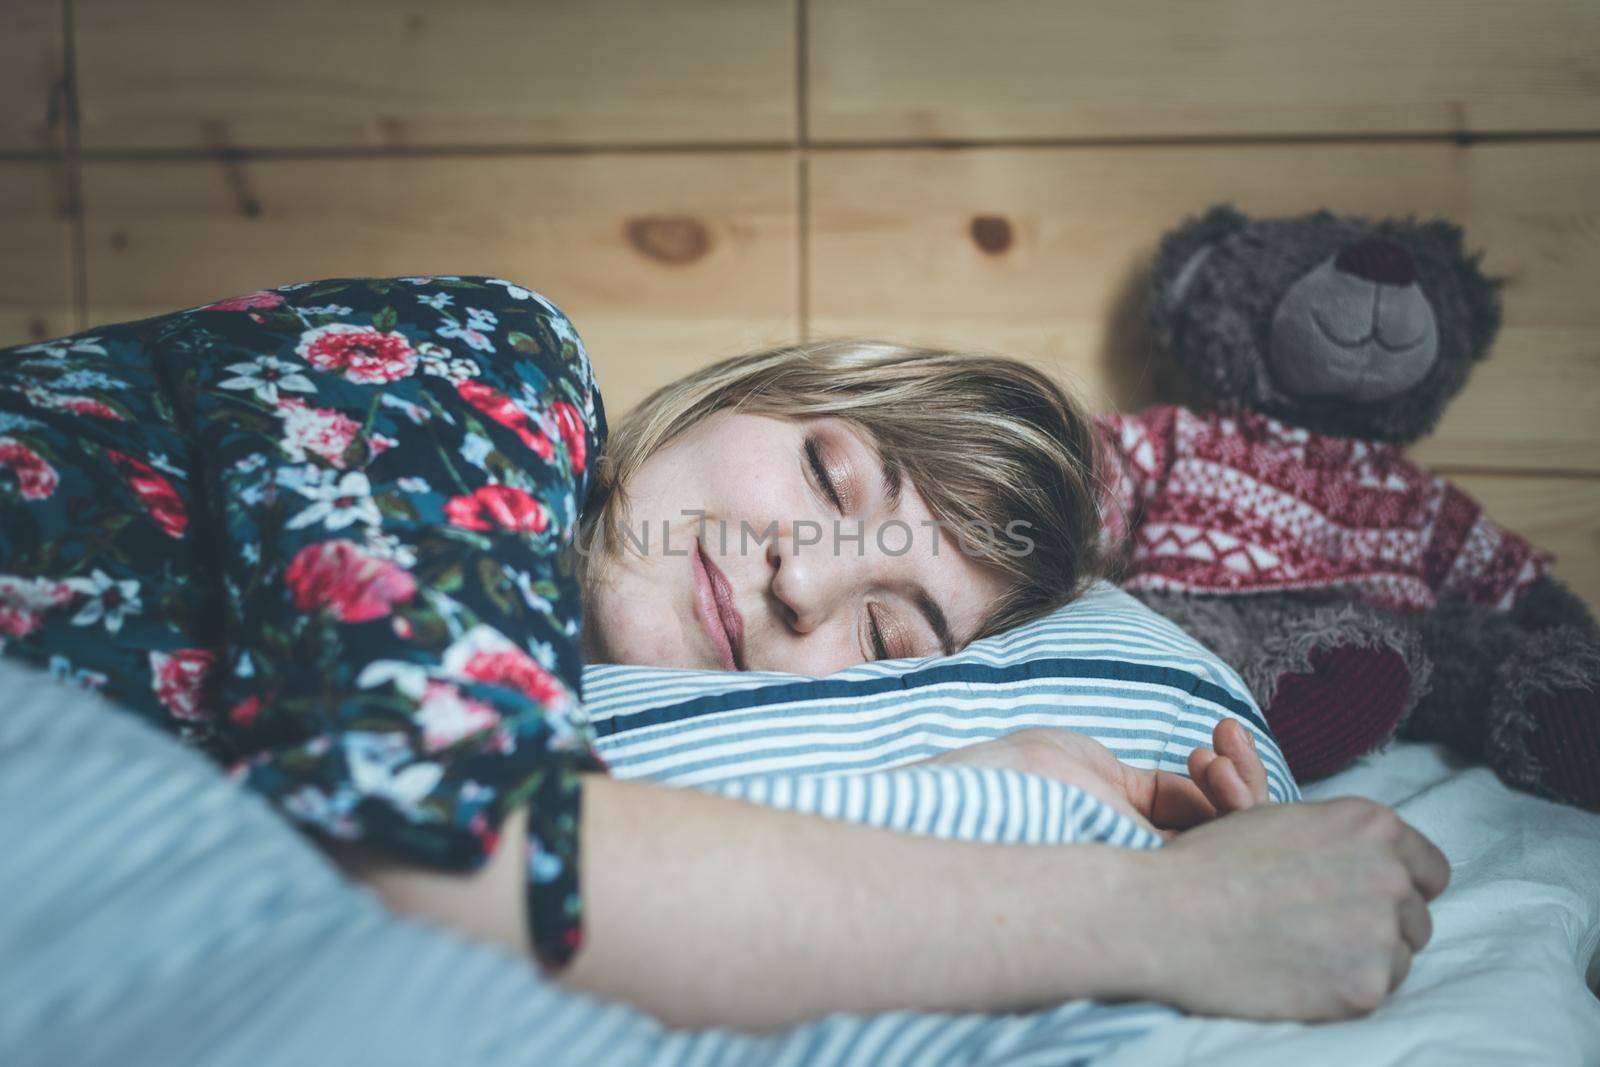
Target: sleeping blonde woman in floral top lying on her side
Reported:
[(358, 538)]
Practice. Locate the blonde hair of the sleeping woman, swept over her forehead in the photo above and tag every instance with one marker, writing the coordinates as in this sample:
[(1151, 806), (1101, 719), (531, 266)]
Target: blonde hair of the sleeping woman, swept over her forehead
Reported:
[(988, 442)]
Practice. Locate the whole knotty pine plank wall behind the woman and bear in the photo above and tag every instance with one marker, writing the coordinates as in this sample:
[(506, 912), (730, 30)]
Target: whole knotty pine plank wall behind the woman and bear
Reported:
[(690, 178)]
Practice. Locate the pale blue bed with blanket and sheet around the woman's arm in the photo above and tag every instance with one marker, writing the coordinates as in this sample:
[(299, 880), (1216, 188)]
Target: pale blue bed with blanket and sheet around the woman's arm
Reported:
[(154, 914)]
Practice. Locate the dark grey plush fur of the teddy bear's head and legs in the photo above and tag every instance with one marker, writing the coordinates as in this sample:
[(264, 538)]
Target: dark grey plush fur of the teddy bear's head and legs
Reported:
[(1218, 286)]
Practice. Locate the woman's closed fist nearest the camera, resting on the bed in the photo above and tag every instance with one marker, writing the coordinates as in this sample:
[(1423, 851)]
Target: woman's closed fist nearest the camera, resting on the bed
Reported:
[(1308, 911)]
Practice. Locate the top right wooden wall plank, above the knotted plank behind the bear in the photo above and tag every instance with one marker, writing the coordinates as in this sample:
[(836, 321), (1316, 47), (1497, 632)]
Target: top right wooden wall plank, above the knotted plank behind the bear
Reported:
[(940, 70)]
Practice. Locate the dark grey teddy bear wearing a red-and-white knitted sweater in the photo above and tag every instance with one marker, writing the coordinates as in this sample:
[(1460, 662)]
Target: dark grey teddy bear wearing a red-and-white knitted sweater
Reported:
[(1359, 596)]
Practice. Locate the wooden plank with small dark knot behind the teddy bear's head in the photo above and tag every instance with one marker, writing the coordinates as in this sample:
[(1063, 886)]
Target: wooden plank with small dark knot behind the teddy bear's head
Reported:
[(905, 244)]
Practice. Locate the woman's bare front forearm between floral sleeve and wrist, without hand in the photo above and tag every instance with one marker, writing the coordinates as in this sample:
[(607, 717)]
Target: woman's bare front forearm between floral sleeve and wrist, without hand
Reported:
[(714, 913)]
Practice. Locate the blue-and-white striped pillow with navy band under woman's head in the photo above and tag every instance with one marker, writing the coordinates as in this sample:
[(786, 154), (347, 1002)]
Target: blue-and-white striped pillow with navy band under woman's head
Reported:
[(1103, 666)]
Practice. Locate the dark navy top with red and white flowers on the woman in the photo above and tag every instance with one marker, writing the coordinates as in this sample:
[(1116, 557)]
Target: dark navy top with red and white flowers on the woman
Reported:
[(319, 532)]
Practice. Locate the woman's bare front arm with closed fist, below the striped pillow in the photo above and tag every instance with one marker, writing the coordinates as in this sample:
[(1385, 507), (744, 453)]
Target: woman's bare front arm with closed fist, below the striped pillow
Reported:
[(706, 911)]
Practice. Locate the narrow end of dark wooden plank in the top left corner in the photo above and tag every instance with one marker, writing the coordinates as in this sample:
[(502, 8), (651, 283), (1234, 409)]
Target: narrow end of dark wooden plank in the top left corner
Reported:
[(31, 63)]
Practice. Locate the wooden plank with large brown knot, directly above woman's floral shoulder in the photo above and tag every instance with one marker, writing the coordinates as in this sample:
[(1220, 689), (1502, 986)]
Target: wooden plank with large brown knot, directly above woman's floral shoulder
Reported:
[(662, 262)]
